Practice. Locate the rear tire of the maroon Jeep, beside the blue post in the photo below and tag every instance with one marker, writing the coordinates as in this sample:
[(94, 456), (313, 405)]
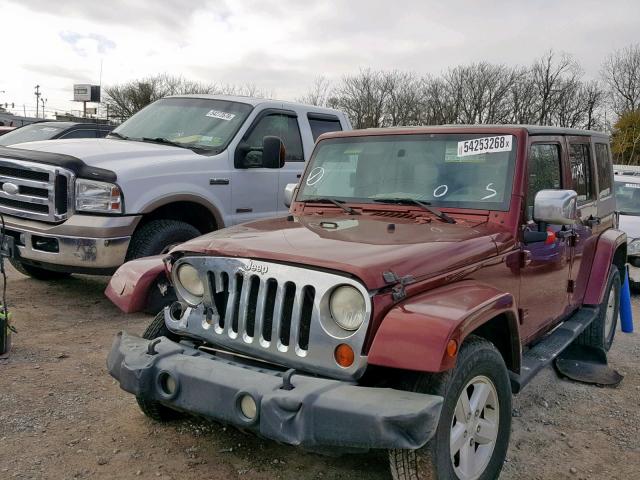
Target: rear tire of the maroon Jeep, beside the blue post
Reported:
[(601, 332)]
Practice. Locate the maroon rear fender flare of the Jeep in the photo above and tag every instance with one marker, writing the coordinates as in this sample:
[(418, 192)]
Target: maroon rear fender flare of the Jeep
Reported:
[(609, 242)]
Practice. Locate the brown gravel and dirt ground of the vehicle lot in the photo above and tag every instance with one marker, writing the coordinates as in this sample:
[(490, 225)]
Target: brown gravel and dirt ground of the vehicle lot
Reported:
[(62, 416)]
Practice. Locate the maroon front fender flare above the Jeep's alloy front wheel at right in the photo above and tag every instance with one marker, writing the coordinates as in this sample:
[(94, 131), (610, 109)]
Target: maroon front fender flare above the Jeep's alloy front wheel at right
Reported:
[(415, 333)]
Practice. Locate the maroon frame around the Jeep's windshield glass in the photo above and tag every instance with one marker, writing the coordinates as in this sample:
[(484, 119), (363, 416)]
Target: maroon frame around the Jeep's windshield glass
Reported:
[(503, 206)]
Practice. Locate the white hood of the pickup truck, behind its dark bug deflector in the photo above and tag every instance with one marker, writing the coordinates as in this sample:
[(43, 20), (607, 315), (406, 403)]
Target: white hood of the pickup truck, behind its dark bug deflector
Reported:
[(109, 153)]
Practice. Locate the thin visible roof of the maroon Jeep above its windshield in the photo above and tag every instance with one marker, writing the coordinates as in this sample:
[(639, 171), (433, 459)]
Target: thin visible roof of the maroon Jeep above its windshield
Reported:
[(530, 129)]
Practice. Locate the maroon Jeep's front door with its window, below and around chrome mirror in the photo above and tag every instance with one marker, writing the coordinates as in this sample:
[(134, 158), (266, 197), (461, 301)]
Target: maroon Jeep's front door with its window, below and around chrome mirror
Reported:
[(545, 269)]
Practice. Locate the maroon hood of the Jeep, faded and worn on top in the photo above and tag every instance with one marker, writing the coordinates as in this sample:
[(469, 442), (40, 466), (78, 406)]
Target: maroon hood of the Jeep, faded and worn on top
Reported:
[(363, 246)]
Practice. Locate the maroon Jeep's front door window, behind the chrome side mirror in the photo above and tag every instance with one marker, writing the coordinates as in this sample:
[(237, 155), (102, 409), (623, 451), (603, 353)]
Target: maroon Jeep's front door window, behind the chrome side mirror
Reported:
[(544, 171)]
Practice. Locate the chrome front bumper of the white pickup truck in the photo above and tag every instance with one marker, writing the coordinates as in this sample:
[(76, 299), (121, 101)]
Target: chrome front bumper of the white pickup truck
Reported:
[(82, 244)]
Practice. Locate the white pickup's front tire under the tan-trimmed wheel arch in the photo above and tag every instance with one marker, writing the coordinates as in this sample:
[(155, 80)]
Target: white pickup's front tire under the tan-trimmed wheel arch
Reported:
[(158, 236)]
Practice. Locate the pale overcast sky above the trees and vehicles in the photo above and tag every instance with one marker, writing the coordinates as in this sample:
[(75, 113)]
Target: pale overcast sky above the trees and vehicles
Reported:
[(281, 45)]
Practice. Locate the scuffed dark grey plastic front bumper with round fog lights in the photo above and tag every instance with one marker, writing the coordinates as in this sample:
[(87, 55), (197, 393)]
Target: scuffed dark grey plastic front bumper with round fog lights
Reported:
[(317, 413)]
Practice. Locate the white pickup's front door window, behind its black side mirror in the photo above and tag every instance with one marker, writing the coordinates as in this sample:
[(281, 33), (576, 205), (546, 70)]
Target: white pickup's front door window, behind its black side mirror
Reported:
[(279, 125)]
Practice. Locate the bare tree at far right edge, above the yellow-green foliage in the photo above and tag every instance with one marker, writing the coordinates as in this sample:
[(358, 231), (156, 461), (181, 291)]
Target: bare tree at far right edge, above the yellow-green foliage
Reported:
[(621, 72)]
